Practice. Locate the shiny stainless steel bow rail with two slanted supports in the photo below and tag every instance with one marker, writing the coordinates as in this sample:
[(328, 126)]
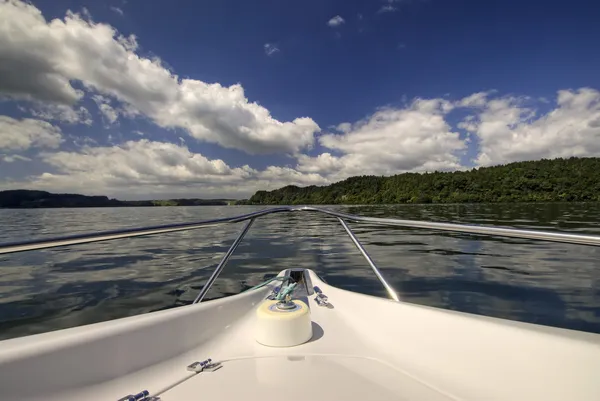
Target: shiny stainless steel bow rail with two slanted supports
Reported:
[(342, 218)]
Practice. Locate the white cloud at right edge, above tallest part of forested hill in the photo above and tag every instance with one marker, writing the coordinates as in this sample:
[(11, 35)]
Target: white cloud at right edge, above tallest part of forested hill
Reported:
[(508, 130)]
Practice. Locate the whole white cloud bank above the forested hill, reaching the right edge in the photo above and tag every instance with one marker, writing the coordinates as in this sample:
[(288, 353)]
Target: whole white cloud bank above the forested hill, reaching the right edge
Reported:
[(419, 137)]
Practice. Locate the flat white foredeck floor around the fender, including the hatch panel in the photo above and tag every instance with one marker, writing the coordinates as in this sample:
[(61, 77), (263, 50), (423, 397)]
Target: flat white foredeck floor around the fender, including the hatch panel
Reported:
[(334, 365)]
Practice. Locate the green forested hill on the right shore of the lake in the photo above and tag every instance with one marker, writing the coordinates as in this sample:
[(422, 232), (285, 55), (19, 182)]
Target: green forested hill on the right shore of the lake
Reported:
[(557, 180)]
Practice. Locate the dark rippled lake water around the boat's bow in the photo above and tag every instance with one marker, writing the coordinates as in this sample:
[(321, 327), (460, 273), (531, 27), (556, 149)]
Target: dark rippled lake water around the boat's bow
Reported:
[(546, 283)]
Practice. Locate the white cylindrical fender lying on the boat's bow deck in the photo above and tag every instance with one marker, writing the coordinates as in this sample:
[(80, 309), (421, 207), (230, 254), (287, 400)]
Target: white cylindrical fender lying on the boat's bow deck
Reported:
[(283, 328)]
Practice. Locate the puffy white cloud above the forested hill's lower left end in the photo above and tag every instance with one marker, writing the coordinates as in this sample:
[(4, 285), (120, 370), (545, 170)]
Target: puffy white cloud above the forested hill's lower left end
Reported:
[(416, 138)]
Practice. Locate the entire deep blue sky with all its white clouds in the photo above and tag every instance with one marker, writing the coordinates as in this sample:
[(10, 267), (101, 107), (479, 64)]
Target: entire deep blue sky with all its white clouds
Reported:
[(223, 98)]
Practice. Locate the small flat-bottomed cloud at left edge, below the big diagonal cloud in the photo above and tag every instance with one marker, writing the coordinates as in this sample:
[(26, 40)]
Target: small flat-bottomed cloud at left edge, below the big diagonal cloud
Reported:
[(28, 133)]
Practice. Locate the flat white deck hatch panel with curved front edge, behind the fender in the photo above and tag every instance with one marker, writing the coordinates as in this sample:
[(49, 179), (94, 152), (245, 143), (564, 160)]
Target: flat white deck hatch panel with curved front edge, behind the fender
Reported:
[(304, 378)]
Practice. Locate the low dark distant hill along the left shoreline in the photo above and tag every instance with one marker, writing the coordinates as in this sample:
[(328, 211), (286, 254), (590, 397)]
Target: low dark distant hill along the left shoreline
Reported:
[(23, 198)]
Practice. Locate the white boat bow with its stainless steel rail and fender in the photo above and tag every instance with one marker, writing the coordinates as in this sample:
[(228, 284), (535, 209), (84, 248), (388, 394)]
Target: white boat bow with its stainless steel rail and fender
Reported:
[(298, 338)]
